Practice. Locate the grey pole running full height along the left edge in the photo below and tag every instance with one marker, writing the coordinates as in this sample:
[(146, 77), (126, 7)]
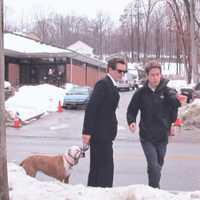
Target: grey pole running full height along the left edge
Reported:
[(4, 195)]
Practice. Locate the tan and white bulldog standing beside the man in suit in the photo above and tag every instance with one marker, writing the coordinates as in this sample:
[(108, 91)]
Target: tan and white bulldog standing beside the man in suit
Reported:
[(58, 166)]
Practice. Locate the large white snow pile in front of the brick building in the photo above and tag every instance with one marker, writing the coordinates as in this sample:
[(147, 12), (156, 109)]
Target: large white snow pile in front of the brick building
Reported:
[(32, 101)]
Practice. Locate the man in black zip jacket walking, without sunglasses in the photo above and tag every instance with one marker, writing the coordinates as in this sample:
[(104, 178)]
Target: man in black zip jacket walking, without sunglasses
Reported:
[(158, 105)]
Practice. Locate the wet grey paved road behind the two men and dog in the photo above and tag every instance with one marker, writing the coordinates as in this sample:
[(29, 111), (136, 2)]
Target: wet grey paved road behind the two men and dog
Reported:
[(54, 133)]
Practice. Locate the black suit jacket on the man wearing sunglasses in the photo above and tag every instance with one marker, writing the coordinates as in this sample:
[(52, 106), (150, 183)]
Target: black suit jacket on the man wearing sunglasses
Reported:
[(100, 119)]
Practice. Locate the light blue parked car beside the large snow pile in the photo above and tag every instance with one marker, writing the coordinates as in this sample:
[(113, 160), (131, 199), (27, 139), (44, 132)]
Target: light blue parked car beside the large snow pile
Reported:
[(77, 97)]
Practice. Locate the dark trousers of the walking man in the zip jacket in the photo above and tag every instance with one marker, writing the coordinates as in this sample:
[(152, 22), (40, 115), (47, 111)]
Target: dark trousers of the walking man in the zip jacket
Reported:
[(154, 154)]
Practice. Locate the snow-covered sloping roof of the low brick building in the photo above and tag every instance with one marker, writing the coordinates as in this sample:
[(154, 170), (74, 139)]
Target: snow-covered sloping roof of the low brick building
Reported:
[(16, 45)]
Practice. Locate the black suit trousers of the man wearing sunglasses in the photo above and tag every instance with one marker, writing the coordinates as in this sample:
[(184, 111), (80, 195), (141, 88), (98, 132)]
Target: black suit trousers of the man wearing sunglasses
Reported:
[(101, 165)]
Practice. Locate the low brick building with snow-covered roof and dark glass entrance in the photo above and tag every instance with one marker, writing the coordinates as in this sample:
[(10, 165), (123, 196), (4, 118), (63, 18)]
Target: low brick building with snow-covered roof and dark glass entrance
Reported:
[(28, 61)]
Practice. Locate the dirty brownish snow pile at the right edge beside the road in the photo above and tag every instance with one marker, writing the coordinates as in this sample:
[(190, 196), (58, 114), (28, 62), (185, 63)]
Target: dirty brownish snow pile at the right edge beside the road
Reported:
[(190, 113)]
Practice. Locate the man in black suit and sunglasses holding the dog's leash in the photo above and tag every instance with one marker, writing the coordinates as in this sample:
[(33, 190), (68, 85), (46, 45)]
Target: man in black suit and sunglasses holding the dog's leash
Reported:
[(100, 125)]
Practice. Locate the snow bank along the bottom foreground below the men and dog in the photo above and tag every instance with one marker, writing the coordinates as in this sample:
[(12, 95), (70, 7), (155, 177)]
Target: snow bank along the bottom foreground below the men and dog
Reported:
[(23, 187)]
